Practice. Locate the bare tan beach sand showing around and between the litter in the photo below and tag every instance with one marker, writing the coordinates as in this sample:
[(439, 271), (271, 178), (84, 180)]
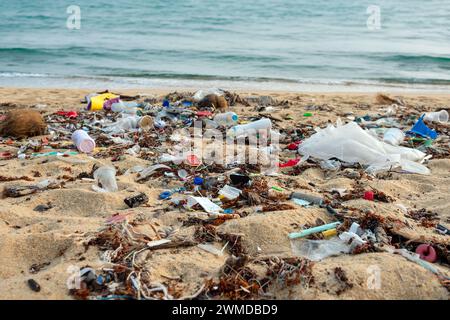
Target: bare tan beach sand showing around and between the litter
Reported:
[(45, 245)]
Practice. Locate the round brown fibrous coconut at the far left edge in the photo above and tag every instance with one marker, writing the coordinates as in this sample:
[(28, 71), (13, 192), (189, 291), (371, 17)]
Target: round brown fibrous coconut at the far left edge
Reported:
[(23, 124)]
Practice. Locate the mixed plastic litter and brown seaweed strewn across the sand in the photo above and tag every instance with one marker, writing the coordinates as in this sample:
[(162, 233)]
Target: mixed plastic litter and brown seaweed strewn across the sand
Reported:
[(208, 195)]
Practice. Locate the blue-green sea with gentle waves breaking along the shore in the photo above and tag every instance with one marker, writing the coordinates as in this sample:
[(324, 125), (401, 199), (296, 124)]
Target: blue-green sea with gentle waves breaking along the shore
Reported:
[(276, 44)]
